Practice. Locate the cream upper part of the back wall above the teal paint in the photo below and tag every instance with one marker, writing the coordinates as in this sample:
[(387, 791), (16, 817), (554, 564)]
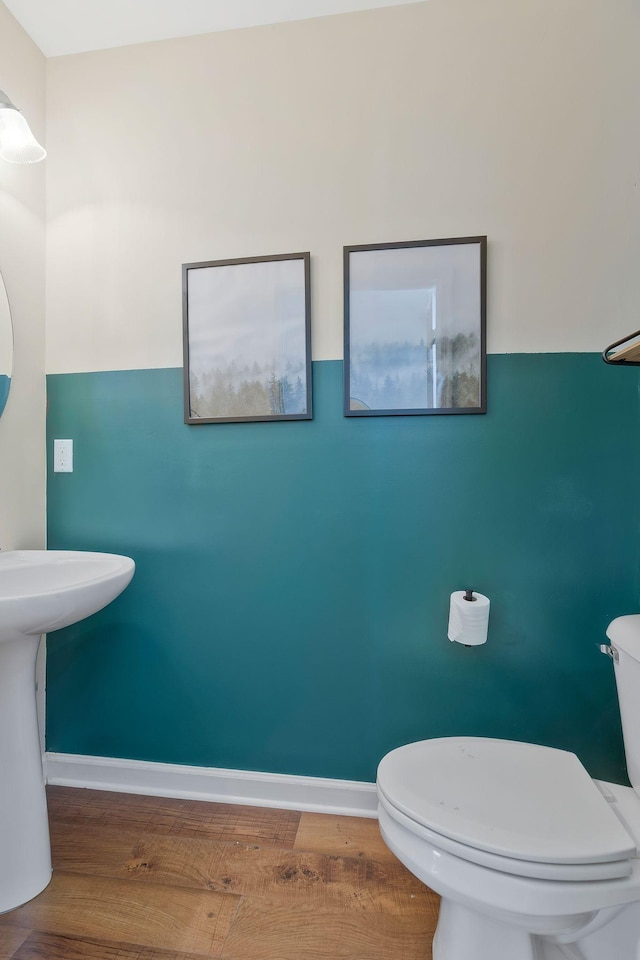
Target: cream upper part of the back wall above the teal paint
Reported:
[(437, 119)]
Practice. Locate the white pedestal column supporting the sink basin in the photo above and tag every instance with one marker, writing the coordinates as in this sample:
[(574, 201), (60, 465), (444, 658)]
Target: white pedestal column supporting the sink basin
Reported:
[(25, 857)]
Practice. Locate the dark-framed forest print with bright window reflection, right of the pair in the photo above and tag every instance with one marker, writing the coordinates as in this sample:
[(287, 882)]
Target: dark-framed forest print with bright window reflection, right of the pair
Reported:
[(415, 327)]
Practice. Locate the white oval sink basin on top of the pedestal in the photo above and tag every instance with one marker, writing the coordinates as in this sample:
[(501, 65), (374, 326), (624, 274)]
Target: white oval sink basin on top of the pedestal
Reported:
[(44, 590)]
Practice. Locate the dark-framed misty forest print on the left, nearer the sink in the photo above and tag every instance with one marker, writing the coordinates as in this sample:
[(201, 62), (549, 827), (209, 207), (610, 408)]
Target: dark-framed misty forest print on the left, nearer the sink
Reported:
[(247, 339)]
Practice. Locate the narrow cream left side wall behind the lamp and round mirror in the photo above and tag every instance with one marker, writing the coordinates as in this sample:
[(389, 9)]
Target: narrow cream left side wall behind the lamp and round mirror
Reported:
[(22, 209)]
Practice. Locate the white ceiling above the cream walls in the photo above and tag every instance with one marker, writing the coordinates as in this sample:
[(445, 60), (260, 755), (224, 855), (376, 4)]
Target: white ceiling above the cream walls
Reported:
[(61, 27)]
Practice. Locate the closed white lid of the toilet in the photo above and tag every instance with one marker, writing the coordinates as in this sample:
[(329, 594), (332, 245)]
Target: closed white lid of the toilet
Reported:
[(513, 799)]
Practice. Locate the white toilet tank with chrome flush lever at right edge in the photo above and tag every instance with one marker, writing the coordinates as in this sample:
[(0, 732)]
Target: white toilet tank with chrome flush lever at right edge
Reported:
[(624, 634)]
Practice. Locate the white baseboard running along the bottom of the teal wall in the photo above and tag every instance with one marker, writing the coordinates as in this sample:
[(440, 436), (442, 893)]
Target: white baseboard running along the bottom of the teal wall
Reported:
[(351, 798)]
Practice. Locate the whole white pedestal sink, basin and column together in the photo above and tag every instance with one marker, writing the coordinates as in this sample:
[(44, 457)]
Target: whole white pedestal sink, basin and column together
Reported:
[(40, 591)]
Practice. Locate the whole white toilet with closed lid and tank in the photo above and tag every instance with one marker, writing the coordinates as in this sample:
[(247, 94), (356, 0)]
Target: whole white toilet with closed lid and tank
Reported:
[(533, 859)]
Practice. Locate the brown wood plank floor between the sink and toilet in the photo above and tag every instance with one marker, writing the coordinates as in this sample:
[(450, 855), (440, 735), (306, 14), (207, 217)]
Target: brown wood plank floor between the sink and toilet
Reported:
[(147, 878)]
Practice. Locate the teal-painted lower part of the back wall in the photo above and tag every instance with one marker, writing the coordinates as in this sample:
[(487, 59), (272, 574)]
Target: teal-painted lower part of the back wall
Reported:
[(290, 604)]
